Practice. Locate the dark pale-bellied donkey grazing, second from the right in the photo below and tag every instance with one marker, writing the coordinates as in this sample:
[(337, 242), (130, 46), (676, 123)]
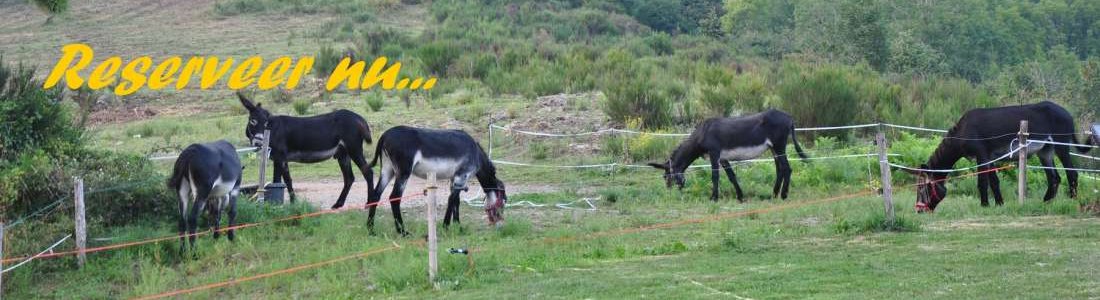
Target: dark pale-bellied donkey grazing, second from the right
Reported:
[(735, 139)]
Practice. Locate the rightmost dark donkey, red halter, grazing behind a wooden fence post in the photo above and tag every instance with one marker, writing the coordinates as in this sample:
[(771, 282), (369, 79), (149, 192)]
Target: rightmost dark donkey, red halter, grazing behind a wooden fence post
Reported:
[(987, 135)]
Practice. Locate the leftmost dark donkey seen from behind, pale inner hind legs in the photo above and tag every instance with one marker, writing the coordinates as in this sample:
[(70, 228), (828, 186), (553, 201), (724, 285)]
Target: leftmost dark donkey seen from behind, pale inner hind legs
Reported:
[(204, 173)]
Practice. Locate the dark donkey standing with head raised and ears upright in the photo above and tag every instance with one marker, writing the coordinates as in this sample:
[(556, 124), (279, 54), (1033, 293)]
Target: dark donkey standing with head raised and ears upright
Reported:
[(339, 135)]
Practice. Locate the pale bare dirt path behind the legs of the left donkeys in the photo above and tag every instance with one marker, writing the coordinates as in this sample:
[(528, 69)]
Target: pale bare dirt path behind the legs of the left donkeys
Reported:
[(324, 193)]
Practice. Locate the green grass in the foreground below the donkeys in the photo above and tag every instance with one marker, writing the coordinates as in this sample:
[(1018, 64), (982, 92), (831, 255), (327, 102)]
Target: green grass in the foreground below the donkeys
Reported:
[(964, 251)]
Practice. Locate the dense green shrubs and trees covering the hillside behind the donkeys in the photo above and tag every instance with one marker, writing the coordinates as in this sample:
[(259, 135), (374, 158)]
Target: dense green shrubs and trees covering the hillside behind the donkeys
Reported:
[(673, 62)]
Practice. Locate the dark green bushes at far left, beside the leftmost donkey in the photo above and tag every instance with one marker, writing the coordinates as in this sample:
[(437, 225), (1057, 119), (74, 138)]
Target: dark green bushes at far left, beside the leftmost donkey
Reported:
[(41, 151)]
